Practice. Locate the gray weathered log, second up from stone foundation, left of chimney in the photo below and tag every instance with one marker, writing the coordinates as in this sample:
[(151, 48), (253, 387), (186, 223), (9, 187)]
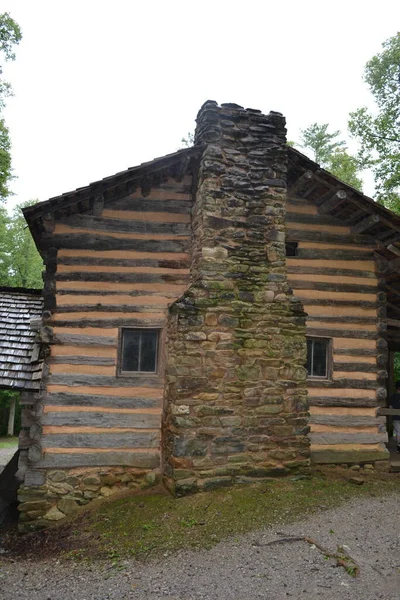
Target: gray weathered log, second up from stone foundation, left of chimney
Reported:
[(102, 440)]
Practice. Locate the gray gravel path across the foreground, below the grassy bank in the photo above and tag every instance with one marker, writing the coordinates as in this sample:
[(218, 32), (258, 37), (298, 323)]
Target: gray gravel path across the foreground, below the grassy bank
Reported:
[(240, 569)]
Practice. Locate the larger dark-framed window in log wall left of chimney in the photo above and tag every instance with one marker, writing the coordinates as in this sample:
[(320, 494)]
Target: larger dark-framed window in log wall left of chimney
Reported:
[(138, 351)]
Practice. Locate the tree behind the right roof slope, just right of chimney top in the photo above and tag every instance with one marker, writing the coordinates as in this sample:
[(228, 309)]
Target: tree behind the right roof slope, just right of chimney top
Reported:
[(331, 153)]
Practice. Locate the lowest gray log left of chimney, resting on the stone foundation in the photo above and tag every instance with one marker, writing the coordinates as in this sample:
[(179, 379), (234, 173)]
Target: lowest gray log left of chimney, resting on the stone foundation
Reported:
[(140, 460)]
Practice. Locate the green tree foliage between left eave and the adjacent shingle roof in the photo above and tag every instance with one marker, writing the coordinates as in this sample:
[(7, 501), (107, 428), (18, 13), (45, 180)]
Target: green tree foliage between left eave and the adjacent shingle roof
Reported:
[(20, 263)]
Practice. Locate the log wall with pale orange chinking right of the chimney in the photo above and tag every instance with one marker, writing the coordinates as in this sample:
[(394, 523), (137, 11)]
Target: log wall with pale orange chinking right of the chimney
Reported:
[(335, 275)]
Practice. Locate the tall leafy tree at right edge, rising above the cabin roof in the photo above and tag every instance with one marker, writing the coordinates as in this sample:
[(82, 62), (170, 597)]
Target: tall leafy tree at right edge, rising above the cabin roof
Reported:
[(379, 132)]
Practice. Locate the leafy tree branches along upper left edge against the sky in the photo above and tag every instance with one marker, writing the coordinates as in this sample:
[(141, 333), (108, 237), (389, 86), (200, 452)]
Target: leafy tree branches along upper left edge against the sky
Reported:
[(10, 36)]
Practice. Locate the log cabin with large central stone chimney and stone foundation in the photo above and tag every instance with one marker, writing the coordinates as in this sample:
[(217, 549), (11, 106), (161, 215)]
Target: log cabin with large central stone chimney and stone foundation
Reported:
[(223, 314)]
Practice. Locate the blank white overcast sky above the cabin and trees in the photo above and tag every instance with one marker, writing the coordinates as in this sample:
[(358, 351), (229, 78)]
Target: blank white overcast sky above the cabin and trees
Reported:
[(101, 86)]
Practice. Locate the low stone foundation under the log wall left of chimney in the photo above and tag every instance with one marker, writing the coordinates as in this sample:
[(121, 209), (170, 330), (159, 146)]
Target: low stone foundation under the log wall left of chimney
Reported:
[(64, 491)]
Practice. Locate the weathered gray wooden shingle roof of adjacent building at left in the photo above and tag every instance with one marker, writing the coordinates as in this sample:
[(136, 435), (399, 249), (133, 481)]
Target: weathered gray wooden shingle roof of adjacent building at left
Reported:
[(20, 365)]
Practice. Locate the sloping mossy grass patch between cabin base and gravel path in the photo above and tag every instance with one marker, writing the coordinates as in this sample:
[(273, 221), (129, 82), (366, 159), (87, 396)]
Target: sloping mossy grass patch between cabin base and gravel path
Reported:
[(157, 524)]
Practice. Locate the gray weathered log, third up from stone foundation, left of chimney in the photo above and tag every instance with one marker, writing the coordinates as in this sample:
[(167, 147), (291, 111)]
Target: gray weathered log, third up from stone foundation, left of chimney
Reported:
[(102, 419)]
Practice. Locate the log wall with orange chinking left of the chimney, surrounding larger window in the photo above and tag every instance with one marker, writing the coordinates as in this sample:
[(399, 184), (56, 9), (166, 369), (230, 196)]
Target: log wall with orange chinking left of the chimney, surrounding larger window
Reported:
[(120, 267)]
